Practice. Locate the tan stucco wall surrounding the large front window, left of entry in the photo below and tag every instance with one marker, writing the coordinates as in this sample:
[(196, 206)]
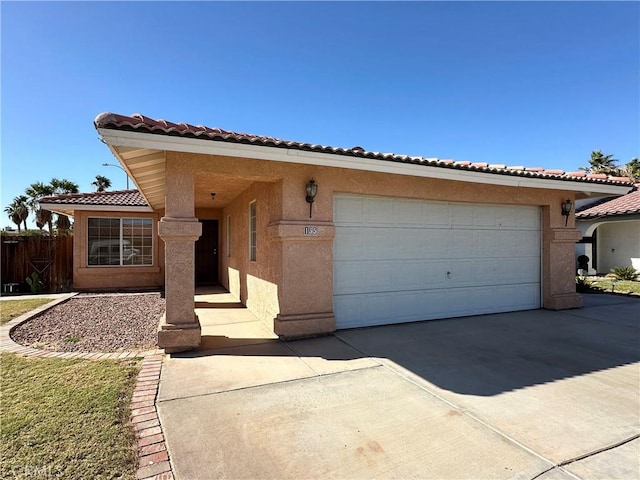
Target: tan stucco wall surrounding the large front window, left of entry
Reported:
[(109, 278)]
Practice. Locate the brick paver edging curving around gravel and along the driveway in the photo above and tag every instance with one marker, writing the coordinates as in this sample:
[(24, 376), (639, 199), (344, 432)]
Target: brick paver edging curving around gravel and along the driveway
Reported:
[(153, 456)]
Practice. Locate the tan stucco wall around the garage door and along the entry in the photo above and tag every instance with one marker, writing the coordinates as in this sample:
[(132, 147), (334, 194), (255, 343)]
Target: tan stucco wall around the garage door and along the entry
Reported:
[(290, 285)]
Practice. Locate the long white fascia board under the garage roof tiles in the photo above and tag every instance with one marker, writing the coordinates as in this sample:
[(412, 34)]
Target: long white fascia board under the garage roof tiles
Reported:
[(195, 145)]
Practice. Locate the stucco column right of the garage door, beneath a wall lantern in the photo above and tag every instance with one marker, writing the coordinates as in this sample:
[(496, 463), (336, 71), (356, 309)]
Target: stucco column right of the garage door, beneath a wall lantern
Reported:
[(560, 272)]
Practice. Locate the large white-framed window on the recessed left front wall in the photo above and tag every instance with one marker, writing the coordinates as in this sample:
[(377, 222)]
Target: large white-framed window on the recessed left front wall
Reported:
[(120, 241)]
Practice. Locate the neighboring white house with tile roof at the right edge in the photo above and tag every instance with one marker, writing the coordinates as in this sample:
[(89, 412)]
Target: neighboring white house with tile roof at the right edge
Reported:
[(610, 230)]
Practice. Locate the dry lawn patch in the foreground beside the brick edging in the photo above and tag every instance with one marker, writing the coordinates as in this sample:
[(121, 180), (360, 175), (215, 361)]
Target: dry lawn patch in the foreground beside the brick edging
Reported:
[(66, 418)]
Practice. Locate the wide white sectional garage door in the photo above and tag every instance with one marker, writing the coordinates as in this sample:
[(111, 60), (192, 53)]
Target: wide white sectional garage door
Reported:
[(399, 260)]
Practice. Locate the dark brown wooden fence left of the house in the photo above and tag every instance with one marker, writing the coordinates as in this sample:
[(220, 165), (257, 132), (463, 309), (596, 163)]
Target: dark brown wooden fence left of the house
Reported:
[(51, 258)]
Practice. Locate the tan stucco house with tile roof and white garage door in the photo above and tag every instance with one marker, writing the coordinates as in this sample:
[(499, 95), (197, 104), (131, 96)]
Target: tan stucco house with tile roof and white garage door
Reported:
[(314, 238)]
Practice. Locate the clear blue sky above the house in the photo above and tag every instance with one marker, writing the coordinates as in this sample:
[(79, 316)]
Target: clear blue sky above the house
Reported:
[(520, 83)]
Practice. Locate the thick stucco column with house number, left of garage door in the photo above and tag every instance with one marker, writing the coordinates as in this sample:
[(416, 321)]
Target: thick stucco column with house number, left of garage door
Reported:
[(305, 295)]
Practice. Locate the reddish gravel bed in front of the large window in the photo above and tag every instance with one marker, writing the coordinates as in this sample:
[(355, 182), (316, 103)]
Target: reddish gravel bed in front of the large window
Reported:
[(95, 323)]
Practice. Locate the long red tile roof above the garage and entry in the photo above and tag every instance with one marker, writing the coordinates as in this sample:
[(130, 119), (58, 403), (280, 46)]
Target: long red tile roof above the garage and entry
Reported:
[(140, 123)]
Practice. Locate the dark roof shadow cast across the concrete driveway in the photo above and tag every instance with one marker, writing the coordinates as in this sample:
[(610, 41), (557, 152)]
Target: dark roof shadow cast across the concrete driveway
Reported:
[(482, 355)]
